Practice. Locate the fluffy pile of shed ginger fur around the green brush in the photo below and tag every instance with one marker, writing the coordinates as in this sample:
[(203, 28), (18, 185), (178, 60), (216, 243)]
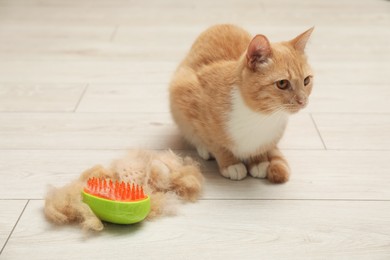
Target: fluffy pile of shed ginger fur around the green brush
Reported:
[(167, 178)]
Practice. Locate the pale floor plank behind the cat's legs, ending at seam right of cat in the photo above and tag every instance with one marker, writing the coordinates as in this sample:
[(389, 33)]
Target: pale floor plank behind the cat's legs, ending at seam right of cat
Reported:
[(118, 131)]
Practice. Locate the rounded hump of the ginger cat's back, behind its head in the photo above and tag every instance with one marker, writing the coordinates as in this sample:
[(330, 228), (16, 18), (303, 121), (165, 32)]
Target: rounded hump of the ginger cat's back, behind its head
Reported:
[(219, 42)]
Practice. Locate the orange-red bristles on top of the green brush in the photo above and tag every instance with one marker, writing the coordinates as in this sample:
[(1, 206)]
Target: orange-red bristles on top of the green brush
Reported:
[(119, 191)]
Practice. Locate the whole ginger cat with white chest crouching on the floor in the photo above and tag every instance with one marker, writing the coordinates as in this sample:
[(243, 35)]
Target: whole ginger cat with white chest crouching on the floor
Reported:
[(232, 95)]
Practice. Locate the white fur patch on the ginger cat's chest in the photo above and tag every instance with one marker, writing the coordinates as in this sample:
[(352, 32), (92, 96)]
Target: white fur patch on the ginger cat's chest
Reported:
[(250, 130)]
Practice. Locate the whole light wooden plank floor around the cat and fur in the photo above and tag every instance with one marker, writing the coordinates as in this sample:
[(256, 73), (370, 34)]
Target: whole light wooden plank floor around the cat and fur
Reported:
[(81, 81)]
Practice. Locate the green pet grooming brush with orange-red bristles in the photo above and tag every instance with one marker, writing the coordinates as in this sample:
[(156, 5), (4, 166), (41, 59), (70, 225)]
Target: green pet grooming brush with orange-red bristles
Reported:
[(116, 202)]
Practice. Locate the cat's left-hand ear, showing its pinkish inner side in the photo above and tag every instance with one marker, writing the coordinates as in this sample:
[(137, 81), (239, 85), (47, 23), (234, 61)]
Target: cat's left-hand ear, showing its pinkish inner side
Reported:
[(258, 52)]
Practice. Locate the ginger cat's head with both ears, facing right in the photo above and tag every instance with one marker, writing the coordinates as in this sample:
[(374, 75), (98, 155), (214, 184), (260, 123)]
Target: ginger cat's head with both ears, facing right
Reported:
[(276, 76)]
